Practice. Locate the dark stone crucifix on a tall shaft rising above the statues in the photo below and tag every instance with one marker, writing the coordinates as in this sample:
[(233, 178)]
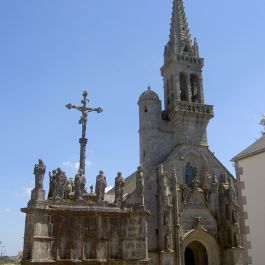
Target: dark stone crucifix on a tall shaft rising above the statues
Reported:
[(83, 121)]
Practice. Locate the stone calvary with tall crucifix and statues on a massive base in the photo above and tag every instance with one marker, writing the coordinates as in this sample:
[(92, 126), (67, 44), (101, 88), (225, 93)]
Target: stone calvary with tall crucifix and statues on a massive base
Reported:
[(73, 226)]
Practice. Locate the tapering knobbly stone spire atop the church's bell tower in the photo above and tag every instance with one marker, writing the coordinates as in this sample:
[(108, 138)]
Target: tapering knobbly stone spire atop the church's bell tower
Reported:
[(179, 31)]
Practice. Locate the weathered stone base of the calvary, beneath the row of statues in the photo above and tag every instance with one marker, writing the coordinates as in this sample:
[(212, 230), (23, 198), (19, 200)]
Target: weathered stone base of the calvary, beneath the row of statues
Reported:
[(69, 231)]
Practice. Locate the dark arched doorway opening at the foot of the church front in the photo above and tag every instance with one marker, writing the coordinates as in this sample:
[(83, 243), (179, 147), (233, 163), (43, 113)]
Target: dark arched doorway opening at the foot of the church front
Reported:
[(196, 254)]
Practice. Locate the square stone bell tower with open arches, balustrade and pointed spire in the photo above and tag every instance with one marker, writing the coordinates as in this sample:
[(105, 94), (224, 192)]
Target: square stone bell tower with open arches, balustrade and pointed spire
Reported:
[(183, 82)]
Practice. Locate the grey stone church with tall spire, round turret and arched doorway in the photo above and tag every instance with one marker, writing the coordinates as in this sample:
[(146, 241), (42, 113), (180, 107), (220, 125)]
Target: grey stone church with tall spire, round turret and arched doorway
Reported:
[(191, 196)]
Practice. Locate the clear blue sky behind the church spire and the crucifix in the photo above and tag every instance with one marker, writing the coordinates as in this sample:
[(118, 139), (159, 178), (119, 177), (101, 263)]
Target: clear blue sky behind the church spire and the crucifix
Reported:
[(50, 51)]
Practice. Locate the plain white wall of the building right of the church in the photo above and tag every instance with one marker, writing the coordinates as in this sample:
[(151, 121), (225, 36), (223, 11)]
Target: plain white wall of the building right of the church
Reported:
[(253, 192)]
